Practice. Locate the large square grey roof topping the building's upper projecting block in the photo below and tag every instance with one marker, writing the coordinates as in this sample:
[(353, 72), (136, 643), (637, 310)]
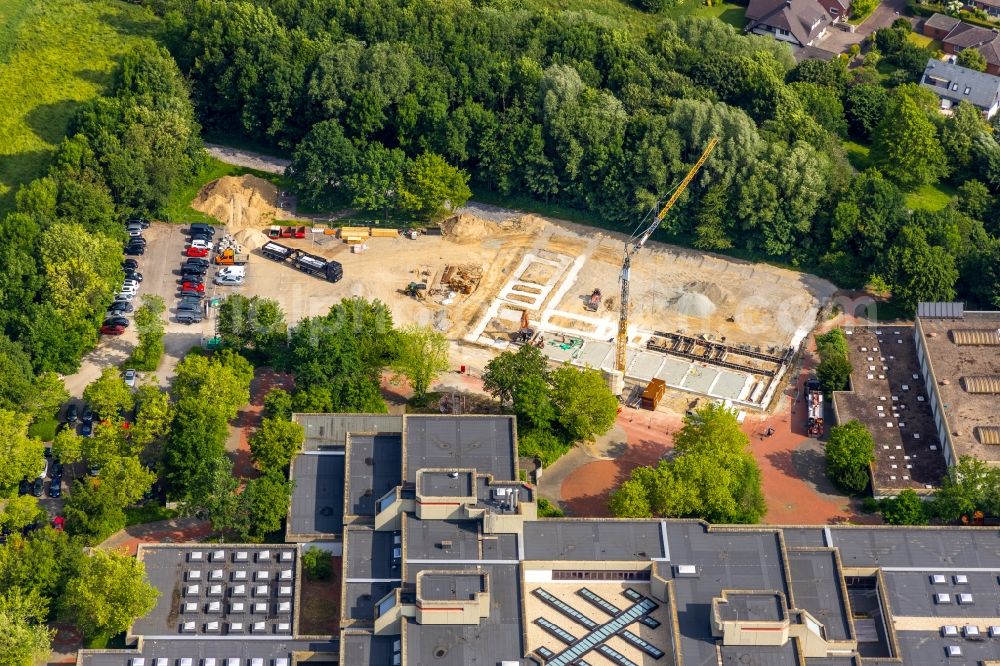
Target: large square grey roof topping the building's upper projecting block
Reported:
[(483, 443)]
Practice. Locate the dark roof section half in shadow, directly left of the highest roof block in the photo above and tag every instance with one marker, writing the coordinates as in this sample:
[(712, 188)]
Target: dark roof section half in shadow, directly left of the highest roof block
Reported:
[(376, 464)]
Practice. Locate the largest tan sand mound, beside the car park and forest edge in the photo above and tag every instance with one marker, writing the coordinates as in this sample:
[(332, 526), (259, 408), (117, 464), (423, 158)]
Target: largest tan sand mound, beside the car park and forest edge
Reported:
[(239, 202)]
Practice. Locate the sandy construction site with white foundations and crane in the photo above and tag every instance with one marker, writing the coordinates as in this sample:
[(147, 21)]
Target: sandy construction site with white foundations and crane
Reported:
[(702, 324)]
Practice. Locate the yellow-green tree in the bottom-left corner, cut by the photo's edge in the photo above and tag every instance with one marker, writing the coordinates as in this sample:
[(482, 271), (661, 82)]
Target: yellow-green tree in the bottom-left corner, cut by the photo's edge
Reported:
[(25, 639)]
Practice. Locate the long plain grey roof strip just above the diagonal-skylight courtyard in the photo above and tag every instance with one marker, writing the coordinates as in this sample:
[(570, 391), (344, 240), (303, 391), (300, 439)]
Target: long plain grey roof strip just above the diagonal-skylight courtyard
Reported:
[(592, 540)]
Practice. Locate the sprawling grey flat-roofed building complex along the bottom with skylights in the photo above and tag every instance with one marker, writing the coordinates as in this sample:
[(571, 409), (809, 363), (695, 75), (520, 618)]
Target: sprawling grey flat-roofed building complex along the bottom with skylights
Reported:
[(452, 567)]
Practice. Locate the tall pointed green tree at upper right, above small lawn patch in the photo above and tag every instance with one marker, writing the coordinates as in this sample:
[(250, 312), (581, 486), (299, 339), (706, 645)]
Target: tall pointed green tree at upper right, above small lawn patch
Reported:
[(906, 148)]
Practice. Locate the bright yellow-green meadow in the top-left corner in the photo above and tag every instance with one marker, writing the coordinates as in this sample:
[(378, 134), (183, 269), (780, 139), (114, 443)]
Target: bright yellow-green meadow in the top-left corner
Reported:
[(55, 55)]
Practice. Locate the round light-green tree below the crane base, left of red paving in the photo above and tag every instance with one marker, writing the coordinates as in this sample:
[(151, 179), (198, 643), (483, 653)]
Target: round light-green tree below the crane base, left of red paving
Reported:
[(585, 406)]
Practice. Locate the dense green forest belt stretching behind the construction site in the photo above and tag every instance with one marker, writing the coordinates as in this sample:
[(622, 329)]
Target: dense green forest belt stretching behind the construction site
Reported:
[(566, 108)]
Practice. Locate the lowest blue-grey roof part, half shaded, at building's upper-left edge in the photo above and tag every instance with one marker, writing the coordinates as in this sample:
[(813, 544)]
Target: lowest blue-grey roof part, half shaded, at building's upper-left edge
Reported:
[(318, 498)]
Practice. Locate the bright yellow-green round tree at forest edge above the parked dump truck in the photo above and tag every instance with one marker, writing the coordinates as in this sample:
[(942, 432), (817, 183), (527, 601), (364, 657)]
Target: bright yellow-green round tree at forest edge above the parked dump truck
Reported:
[(429, 187)]
